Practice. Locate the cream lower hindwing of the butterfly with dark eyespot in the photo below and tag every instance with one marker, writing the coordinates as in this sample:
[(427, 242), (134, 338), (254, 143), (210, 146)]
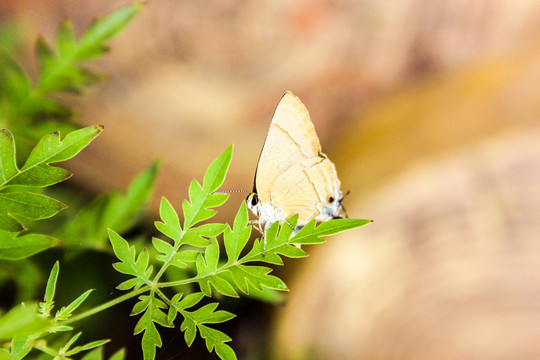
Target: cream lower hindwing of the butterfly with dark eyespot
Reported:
[(306, 189)]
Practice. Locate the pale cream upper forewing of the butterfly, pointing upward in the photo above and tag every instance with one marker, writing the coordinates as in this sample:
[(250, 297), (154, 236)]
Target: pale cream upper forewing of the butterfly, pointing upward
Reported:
[(291, 139)]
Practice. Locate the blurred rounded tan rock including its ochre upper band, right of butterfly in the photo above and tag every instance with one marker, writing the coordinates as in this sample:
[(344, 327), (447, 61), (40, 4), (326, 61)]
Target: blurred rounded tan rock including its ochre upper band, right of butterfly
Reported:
[(449, 170)]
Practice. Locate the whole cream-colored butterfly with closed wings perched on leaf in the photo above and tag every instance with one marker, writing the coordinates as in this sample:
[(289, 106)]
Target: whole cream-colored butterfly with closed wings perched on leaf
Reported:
[(293, 176)]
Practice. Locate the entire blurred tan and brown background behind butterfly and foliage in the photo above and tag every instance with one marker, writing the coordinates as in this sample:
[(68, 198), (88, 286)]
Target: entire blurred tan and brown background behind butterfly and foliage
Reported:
[(431, 112)]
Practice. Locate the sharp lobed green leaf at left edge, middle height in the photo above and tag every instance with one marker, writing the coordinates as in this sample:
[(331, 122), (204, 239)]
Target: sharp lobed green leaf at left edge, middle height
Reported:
[(20, 196)]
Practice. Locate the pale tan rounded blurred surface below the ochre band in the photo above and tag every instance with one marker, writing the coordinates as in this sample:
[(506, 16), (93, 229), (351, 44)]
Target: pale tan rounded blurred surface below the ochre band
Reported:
[(450, 268)]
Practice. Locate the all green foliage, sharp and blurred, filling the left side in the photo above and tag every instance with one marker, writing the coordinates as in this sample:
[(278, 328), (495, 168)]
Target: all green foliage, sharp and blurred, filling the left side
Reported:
[(188, 252)]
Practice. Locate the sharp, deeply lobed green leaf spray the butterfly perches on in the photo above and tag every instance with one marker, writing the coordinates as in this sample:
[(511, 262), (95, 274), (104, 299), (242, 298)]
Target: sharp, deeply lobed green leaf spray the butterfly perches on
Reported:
[(195, 247)]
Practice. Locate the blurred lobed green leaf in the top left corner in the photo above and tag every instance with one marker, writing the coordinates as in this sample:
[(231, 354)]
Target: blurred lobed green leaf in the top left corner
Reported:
[(23, 104)]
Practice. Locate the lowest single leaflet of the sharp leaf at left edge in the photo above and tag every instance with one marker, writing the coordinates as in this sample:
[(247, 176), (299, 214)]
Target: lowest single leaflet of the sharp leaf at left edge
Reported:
[(15, 247)]
